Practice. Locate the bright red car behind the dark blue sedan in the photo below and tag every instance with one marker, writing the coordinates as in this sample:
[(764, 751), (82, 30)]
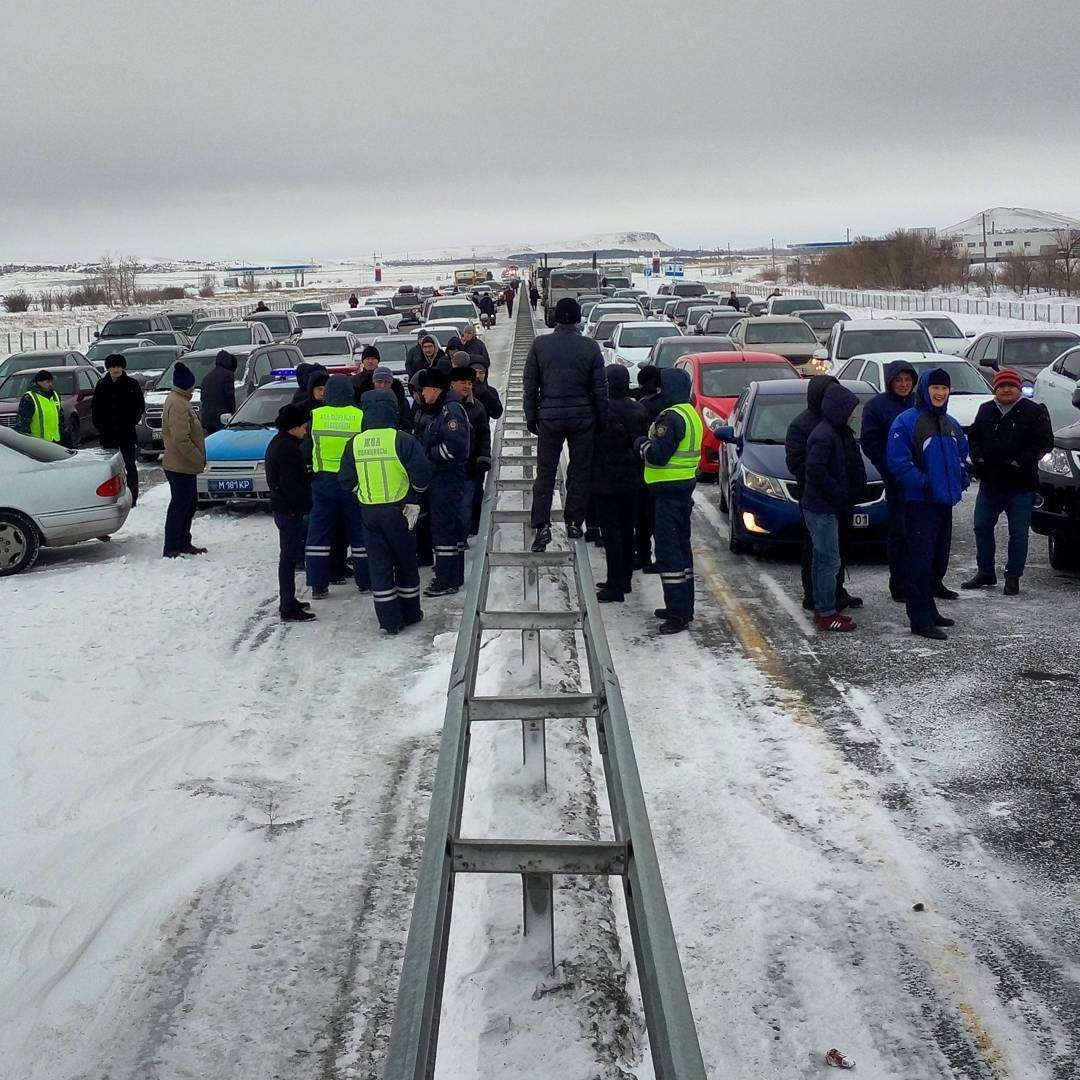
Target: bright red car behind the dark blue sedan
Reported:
[(717, 382)]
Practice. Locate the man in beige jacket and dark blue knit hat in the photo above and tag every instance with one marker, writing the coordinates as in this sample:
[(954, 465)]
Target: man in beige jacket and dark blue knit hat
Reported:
[(184, 460)]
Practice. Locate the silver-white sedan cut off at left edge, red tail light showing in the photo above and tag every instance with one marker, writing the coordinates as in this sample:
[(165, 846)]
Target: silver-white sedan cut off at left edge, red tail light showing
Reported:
[(51, 497)]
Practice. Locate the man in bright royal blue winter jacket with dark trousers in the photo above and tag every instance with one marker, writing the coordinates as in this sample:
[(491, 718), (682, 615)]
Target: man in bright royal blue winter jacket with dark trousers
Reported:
[(927, 457)]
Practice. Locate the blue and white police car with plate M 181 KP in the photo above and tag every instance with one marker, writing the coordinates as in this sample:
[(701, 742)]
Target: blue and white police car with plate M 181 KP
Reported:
[(236, 455)]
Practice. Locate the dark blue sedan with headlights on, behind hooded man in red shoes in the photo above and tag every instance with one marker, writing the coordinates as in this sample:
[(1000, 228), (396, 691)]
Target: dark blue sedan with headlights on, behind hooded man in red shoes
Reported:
[(758, 491)]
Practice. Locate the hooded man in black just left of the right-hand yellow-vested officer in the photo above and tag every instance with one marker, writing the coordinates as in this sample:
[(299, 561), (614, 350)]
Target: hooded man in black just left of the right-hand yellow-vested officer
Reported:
[(617, 482)]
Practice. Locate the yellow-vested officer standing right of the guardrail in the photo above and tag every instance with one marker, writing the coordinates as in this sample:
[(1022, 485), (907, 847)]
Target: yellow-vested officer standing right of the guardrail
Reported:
[(670, 453)]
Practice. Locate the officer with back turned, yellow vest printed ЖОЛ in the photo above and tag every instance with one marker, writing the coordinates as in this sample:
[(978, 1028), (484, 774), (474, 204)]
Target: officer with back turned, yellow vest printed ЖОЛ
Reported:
[(385, 470)]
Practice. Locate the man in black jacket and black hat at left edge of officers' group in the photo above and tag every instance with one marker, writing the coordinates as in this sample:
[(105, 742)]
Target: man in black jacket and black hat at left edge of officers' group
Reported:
[(290, 485)]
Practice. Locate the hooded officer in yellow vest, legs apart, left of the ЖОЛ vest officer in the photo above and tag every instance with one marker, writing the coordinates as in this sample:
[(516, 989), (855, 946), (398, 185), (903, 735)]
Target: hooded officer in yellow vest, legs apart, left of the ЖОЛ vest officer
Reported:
[(333, 425)]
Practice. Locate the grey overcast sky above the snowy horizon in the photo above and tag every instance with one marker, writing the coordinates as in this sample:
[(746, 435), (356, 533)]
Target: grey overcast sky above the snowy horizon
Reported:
[(325, 130)]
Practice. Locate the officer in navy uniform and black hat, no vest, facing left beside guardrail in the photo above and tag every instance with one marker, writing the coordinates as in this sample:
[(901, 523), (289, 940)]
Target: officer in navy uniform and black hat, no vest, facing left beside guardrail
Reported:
[(445, 442)]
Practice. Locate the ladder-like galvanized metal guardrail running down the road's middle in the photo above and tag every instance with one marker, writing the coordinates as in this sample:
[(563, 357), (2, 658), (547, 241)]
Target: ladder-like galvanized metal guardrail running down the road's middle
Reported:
[(631, 855)]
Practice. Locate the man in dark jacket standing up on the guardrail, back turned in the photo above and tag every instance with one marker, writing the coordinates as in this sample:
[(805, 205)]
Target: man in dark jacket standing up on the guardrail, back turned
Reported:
[(565, 402)]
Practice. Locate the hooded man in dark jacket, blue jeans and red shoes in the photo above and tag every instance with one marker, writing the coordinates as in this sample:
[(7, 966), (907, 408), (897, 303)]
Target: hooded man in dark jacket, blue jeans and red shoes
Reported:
[(834, 480)]
